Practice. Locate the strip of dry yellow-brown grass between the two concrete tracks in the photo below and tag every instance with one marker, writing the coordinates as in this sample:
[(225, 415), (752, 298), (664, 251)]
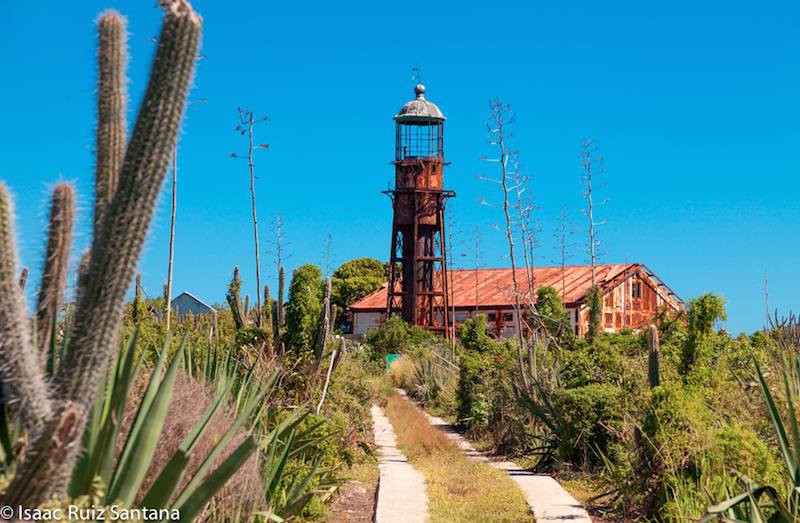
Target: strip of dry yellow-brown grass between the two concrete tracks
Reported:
[(459, 490)]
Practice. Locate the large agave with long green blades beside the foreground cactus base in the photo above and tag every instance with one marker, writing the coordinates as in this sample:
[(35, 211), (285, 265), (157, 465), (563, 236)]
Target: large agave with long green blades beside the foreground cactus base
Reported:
[(124, 475)]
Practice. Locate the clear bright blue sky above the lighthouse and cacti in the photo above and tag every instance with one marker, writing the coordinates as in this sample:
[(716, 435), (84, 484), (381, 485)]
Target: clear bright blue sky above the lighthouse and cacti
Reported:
[(694, 105)]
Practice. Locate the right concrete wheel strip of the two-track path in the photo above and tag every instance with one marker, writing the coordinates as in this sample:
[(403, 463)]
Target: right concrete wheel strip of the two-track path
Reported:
[(548, 500)]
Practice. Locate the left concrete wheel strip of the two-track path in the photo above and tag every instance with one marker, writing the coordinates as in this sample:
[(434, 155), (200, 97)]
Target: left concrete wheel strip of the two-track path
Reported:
[(401, 496)]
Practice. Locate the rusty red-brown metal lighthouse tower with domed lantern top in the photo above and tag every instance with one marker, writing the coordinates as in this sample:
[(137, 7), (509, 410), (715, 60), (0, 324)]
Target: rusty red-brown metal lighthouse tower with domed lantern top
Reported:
[(418, 258)]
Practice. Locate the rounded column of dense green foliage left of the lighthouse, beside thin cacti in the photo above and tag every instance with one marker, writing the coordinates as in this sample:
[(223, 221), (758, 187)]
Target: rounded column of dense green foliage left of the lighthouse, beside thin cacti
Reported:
[(304, 308)]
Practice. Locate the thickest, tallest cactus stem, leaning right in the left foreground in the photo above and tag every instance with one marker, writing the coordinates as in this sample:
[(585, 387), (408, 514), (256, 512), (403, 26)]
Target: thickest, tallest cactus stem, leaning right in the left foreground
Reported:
[(125, 225)]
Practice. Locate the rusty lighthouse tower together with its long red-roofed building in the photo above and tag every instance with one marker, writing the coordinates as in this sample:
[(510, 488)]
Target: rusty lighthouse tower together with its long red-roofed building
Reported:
[(421, 289)]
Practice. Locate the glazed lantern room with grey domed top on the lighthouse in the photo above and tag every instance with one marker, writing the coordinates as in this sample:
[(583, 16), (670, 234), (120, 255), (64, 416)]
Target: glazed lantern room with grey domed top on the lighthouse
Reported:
[(420, 129)]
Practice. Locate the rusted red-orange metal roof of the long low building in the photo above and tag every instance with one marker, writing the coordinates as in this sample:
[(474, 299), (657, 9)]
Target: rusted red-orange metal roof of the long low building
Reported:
[(495, 288)]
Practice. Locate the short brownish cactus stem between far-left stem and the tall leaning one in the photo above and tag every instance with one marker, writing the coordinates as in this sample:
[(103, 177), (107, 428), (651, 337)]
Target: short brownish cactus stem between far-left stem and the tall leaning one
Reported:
[(56, 263)]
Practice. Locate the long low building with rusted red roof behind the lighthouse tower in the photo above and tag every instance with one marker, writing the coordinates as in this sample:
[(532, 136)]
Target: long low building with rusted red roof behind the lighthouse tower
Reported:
[(632, 294)]
